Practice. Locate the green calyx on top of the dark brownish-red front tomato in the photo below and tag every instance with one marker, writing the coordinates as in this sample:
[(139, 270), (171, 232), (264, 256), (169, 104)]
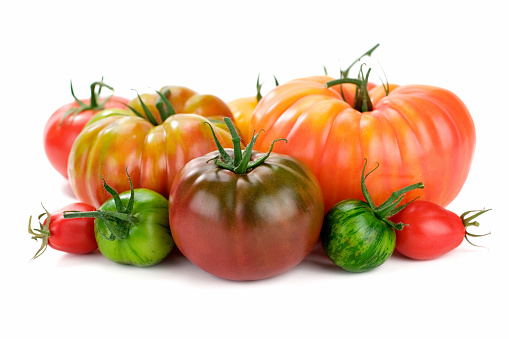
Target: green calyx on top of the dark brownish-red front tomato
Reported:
[(241, 162)]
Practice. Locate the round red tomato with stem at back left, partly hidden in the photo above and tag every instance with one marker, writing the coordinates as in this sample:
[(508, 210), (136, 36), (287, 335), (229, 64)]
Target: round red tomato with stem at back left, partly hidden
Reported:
[(66, 123)]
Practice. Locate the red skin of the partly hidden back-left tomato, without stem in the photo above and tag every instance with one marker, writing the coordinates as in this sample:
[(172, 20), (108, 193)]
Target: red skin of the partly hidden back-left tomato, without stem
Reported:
[(59, 135)]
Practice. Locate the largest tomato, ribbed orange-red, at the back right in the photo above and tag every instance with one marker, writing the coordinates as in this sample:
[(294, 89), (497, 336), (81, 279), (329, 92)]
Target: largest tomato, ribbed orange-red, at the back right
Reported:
[(416, 133)]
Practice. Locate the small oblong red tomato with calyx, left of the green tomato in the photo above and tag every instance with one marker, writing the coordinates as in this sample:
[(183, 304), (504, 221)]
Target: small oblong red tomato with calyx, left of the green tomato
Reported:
[(71, 236)]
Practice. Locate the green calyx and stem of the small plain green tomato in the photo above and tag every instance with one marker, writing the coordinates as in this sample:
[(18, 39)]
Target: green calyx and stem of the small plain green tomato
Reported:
[(118, 222)]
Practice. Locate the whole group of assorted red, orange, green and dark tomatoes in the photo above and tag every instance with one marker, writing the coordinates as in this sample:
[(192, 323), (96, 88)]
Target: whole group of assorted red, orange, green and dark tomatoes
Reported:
[(246, 189)]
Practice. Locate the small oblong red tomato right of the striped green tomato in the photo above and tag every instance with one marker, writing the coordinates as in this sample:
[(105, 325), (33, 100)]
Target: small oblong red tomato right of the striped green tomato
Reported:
[(431, 230)]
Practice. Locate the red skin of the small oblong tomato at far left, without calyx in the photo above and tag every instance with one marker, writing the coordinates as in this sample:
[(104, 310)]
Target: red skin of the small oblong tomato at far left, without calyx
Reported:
[(72, 235)]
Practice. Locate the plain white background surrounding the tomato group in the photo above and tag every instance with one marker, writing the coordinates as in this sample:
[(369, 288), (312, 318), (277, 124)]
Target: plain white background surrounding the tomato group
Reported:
[(219, 47)]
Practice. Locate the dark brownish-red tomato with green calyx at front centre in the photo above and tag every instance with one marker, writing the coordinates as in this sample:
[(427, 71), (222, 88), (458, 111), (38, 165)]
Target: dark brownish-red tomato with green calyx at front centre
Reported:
[(245, 215)]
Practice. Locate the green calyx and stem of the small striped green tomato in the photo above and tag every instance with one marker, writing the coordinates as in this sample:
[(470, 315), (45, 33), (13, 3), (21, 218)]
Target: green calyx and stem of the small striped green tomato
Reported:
[(390, 206)]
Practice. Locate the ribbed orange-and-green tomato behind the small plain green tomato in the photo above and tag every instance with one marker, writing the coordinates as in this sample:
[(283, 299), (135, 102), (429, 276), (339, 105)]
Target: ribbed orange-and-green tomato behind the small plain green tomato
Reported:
[(153, 145)]
